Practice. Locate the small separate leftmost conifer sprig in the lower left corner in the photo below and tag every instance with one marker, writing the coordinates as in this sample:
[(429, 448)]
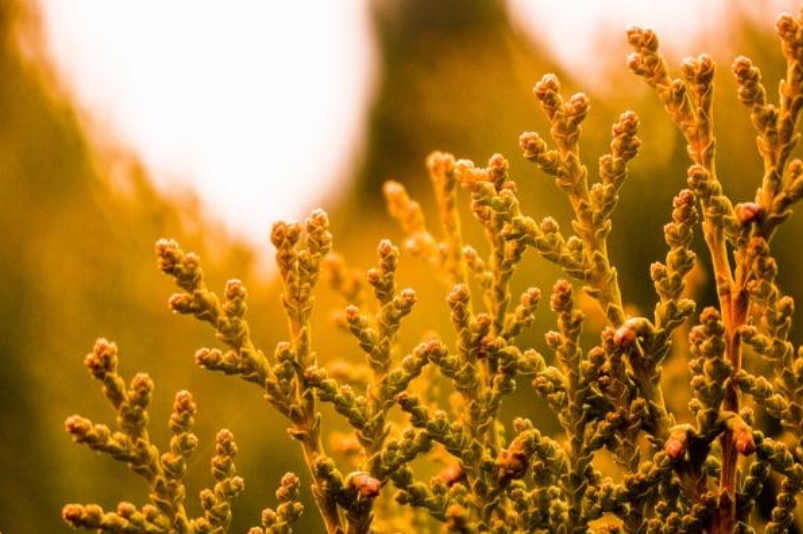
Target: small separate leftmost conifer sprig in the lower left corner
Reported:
[(165, 473)]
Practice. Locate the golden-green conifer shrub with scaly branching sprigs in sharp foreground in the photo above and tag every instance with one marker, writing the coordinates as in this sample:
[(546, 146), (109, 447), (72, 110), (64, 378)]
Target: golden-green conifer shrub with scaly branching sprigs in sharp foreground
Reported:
[(704, 475)]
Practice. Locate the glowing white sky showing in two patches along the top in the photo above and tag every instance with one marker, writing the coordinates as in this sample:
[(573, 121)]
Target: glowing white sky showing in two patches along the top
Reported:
[(260, 105)]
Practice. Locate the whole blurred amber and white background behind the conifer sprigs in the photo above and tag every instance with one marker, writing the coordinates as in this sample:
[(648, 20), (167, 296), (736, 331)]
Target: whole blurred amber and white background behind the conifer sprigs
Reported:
[(122, 122)]
